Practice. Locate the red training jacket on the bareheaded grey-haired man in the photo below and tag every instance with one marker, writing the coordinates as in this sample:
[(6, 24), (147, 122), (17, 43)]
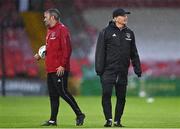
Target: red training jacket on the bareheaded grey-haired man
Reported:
[(58, 48)]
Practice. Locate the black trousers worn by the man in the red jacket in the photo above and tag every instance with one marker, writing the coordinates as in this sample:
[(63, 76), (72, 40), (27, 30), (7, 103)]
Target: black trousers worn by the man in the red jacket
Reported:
[(57, 87)]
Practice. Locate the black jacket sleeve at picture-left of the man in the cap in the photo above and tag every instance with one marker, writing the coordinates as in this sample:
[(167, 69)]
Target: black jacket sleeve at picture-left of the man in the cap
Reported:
[(100, 54)]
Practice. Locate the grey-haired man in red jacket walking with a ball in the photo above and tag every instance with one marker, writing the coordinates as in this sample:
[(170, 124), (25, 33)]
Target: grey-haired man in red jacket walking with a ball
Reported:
[(57, 60)]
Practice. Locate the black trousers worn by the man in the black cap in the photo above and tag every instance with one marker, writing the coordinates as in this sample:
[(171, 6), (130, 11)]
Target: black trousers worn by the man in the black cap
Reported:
[(120, 91)]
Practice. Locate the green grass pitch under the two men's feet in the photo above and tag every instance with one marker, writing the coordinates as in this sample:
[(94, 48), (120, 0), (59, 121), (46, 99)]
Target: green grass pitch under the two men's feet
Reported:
[(30, 112)]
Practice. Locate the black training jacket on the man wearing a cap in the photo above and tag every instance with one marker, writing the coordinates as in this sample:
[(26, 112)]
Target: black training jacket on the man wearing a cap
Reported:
[(115, 48)]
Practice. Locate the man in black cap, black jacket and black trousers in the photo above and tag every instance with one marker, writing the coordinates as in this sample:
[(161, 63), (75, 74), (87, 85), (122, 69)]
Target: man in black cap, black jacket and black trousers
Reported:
[(115, 49)]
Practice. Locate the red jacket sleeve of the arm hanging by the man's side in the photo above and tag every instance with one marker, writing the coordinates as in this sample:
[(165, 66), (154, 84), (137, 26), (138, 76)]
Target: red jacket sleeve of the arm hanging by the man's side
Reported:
[(66, 46)]
